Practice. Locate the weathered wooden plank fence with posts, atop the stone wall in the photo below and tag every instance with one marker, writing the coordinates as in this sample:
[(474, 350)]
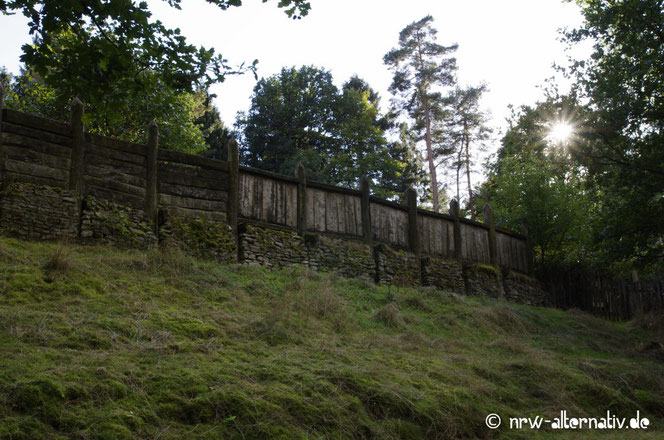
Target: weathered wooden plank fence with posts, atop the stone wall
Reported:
[(142, 176)]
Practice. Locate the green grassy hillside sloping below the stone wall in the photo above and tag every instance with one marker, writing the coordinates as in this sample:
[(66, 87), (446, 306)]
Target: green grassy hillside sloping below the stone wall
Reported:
[(98, 343)]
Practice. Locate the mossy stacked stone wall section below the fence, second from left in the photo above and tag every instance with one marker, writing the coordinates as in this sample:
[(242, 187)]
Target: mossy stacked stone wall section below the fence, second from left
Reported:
[(107, 222)]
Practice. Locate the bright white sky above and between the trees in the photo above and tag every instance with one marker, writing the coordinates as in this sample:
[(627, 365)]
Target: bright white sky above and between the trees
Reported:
[(510, 45)]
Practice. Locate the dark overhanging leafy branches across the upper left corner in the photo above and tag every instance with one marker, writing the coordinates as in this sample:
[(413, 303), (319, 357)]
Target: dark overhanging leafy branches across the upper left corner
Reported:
[(109, 50)]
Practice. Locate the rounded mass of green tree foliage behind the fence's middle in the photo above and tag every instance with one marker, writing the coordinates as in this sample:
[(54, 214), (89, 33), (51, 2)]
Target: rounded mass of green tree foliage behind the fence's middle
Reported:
[(299, 115)]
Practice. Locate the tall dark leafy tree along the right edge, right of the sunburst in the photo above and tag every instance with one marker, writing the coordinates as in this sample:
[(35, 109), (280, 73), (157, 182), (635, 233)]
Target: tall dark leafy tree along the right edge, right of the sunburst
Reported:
[(624, 84)]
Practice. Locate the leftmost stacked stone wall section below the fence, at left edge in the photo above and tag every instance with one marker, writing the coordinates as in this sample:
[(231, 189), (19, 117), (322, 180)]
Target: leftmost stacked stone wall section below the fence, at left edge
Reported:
[(35, 212)]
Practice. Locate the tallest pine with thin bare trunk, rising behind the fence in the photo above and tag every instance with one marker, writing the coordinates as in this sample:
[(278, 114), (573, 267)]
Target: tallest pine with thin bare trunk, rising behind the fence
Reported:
[(421, 68)]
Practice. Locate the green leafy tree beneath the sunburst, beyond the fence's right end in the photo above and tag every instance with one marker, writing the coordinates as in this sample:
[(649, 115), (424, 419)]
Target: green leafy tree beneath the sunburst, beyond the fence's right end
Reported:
[(532, 180)]
